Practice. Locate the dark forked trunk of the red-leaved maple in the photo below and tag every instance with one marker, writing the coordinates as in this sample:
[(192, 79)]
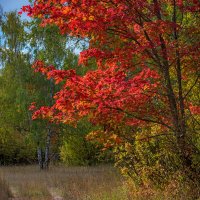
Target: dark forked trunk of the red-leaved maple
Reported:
[(176, 104)]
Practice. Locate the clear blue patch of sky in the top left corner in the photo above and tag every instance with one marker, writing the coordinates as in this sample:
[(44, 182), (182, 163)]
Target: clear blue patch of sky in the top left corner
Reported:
[(11, 5)]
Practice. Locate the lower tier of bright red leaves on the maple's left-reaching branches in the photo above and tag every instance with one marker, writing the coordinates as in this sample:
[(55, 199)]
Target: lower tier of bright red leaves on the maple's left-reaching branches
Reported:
[(102, 94)]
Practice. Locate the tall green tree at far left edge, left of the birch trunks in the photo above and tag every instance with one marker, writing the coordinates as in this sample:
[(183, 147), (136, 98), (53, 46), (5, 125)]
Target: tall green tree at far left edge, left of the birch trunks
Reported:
[(15, 79)]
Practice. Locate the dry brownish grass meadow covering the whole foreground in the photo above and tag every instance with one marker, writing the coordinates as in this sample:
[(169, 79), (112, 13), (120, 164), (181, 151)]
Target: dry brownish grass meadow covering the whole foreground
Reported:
[(81, 183)]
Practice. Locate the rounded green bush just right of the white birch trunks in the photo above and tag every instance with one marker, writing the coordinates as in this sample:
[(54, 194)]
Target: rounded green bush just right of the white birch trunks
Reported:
[(75, 149)]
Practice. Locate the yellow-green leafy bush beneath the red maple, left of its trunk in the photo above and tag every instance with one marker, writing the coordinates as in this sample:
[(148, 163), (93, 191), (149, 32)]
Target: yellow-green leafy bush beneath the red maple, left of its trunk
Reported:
[(150, 158)]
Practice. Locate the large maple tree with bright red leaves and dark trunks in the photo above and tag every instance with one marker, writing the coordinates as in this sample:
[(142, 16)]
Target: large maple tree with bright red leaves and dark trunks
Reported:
[(145, 52)]
